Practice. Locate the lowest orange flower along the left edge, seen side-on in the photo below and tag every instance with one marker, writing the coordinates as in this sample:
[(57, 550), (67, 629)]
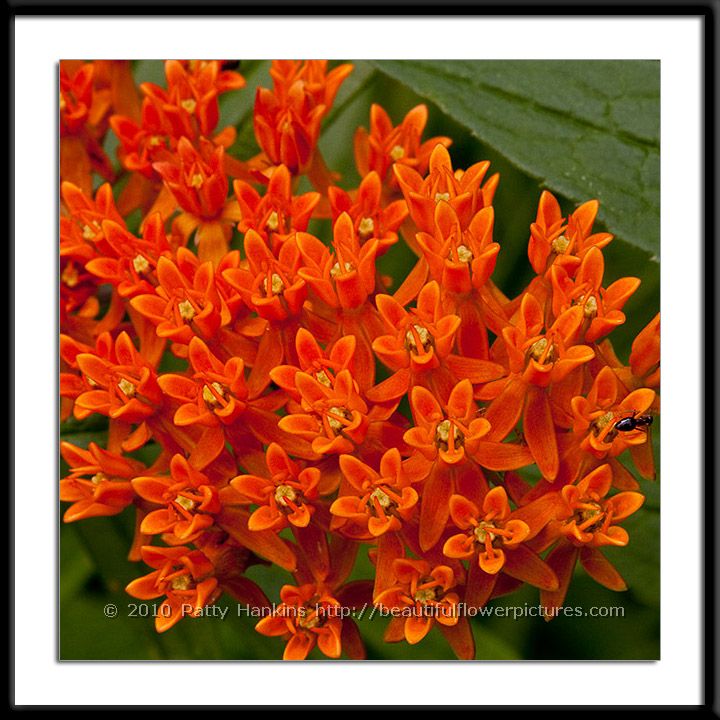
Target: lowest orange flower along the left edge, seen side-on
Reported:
[(99, 482)]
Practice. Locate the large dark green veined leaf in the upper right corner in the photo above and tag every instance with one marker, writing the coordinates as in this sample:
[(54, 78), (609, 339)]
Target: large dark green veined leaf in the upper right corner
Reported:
[(584, 129)]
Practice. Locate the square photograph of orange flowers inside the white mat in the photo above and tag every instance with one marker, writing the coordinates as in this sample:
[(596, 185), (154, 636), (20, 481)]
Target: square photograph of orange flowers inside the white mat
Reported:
[(359, 360)]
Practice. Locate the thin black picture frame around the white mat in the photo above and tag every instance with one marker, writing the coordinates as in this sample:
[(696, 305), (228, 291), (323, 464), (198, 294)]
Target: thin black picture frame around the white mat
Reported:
[(708, 12)]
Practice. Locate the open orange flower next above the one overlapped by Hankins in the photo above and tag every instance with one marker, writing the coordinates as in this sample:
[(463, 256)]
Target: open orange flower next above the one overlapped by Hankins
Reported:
[(285, 497)]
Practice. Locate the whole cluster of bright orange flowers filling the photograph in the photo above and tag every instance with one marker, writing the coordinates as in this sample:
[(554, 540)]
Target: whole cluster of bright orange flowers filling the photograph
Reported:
[(300, 408)]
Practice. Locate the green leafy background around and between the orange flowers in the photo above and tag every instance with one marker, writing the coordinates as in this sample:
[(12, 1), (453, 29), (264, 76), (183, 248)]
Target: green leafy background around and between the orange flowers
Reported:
[(581, 129)]
